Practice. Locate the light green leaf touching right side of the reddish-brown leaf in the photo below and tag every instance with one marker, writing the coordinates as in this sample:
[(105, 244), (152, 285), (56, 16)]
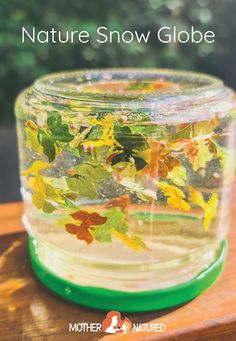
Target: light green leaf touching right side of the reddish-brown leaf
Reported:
[(116, 220)]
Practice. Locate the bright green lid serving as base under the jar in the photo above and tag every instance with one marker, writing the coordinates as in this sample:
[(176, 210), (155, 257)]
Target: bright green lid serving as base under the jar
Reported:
[(106, 299)]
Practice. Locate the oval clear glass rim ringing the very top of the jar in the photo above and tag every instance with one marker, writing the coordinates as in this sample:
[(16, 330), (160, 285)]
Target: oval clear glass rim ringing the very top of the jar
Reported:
[(70, 84)]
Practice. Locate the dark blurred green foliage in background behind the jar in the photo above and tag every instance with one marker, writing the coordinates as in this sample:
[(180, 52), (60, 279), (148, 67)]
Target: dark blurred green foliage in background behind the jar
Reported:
[(21, 63)]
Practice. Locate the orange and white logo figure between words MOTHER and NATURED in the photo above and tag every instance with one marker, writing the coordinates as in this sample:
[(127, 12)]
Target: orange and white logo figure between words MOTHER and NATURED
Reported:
[(114, 324)]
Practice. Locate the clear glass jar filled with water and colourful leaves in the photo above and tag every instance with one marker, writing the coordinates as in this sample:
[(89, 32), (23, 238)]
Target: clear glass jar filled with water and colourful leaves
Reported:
[(126, 177)]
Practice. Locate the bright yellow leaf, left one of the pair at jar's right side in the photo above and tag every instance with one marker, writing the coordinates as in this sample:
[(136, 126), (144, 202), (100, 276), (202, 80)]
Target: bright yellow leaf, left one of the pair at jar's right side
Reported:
[(175, 197)]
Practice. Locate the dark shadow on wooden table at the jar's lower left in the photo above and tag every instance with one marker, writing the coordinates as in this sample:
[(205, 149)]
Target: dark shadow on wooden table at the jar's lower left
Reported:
[(27, 299)]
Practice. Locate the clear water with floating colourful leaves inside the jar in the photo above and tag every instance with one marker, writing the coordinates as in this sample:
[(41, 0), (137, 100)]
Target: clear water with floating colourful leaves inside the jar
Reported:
[(106, 197)]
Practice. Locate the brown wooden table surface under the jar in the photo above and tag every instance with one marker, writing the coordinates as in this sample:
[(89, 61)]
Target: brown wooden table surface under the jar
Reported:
[(28, 311)]
